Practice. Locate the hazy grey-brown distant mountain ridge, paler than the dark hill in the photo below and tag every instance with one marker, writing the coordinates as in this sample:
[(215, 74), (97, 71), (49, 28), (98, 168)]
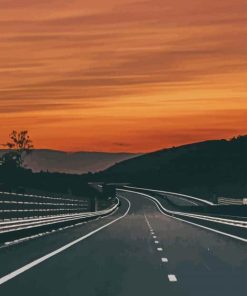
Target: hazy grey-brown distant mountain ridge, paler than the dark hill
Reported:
[(72, 162)]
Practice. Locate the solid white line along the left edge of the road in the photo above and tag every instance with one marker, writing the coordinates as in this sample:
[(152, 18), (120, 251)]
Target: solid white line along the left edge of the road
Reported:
[(44, 258)]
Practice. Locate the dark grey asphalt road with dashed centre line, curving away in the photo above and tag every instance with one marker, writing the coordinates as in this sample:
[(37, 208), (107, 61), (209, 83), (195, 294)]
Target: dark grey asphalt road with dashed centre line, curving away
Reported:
[(140, 251)]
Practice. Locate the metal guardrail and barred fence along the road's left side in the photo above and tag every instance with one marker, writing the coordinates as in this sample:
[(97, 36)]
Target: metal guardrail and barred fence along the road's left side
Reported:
[(23, 215)]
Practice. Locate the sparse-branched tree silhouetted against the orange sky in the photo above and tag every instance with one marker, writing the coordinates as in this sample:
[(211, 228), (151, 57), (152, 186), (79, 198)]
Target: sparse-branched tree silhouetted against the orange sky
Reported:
[(19, 145)]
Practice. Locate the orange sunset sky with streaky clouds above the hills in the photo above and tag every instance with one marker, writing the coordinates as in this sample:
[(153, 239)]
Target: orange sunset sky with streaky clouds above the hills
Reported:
[(126, 75)]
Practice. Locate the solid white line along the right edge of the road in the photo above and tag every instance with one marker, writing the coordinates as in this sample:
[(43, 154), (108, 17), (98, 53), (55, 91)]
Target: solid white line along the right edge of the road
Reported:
[(157, 203)]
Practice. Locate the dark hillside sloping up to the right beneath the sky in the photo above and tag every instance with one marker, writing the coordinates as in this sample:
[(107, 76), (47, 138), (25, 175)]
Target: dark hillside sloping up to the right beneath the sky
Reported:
[(208, 169)]
